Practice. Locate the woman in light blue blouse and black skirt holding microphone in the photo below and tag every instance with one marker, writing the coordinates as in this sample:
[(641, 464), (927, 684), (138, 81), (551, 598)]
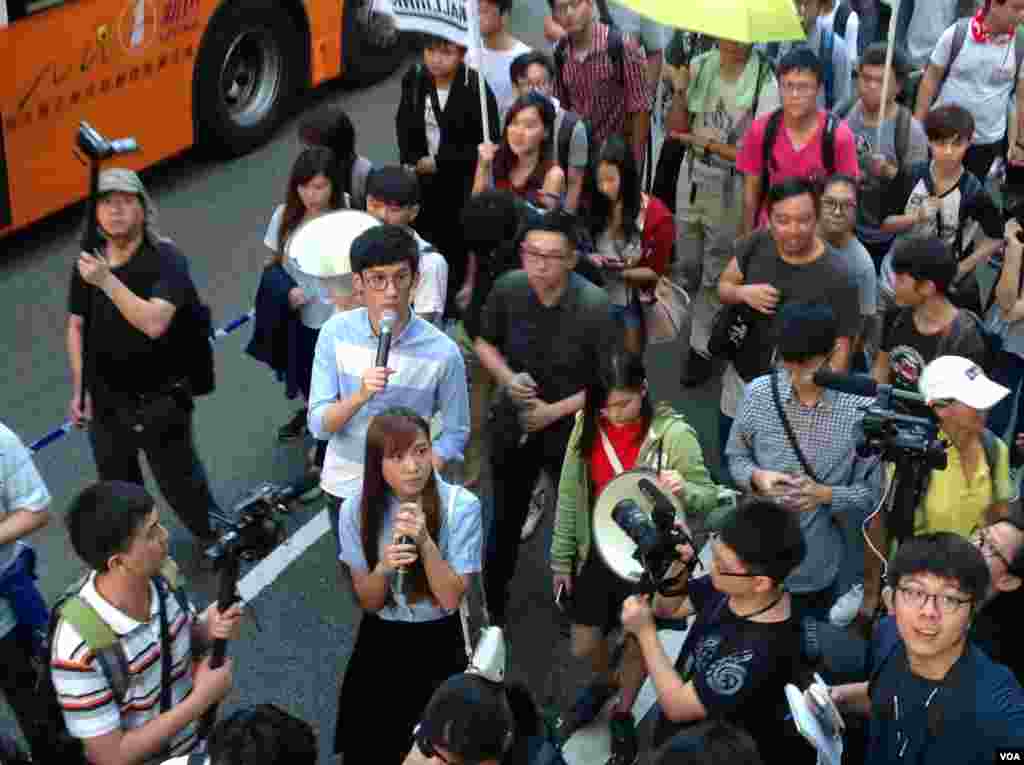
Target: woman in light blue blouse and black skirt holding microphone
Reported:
[(410, 542)]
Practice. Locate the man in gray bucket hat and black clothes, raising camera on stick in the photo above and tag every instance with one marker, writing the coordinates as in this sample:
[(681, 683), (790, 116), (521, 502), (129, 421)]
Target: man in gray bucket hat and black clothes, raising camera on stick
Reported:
[(126, 363)]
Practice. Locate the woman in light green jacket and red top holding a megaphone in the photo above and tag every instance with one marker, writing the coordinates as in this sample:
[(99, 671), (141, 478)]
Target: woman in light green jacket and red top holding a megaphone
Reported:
[(618, 431)]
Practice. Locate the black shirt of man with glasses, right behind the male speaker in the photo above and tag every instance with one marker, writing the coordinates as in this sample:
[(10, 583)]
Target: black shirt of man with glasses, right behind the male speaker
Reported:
[(561, 346)]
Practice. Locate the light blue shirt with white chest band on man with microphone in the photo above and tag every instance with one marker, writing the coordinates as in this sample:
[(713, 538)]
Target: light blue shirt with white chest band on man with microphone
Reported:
[(430, 378)]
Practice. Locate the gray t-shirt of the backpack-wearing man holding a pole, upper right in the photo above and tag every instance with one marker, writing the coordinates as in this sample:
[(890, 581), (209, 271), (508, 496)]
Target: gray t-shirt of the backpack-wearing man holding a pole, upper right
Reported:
[(872, 208)]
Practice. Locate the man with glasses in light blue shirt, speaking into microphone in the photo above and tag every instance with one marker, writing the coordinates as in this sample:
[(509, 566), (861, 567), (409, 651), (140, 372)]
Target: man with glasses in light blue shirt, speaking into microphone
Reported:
[(425, 371)]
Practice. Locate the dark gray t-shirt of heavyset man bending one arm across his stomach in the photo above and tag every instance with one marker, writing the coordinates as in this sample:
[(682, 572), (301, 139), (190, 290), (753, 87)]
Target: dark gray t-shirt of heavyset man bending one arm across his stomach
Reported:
[(827, 280)]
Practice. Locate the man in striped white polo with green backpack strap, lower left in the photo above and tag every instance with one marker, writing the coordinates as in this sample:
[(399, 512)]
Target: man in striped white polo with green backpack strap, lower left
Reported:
[(115, 529)]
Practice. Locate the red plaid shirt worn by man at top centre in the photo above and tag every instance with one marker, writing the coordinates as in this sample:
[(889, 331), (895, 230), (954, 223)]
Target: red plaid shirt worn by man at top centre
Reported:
[(594, 90)]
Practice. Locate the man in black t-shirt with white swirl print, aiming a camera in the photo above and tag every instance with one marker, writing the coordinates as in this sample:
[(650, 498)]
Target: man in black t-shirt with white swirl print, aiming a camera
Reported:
[(746, 644)]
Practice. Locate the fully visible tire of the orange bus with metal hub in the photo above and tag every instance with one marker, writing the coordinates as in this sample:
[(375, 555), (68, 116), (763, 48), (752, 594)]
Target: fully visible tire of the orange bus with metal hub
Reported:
[(251, 66)]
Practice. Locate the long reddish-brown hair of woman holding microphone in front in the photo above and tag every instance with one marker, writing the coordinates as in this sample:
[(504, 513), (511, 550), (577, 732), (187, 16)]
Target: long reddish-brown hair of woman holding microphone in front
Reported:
[(391, 435)]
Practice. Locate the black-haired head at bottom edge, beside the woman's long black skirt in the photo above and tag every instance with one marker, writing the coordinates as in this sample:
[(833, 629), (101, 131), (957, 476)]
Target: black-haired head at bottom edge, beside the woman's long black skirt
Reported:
[(470, 716)]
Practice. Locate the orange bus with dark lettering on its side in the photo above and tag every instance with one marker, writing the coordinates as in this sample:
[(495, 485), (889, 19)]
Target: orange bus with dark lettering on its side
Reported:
[(173, 74)]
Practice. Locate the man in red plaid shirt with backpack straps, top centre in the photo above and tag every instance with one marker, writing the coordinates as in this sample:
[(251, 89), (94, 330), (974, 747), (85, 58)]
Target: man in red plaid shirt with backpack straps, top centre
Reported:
[(603, 82)]
